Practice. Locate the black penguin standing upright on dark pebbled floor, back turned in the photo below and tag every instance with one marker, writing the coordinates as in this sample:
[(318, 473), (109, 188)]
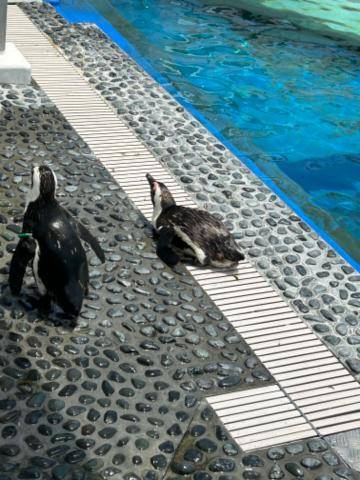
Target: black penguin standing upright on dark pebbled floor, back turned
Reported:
[(50, 239)]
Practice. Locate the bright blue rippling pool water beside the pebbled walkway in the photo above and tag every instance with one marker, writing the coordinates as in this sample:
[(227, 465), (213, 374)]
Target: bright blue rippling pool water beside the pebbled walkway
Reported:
[(288, 99)]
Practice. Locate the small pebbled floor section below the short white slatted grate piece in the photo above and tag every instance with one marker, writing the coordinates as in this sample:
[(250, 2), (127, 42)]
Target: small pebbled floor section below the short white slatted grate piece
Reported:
[(207, 452)]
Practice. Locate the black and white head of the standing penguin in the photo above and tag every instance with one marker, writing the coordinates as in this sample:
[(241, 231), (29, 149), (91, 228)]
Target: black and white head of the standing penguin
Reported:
[(43, 184)]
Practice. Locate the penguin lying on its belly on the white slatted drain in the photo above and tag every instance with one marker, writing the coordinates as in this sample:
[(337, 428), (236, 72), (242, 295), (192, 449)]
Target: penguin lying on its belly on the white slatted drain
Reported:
[(190, 229)]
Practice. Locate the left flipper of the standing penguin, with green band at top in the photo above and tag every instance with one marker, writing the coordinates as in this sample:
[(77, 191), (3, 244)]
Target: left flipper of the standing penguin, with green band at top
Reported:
[(24, 252)]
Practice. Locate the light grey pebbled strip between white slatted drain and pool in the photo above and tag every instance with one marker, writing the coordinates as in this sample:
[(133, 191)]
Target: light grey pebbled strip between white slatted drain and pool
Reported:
[(313, 278)]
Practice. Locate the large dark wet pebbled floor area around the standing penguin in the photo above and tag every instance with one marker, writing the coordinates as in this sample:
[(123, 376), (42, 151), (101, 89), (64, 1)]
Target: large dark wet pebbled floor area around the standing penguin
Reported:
[(114, 397)]
